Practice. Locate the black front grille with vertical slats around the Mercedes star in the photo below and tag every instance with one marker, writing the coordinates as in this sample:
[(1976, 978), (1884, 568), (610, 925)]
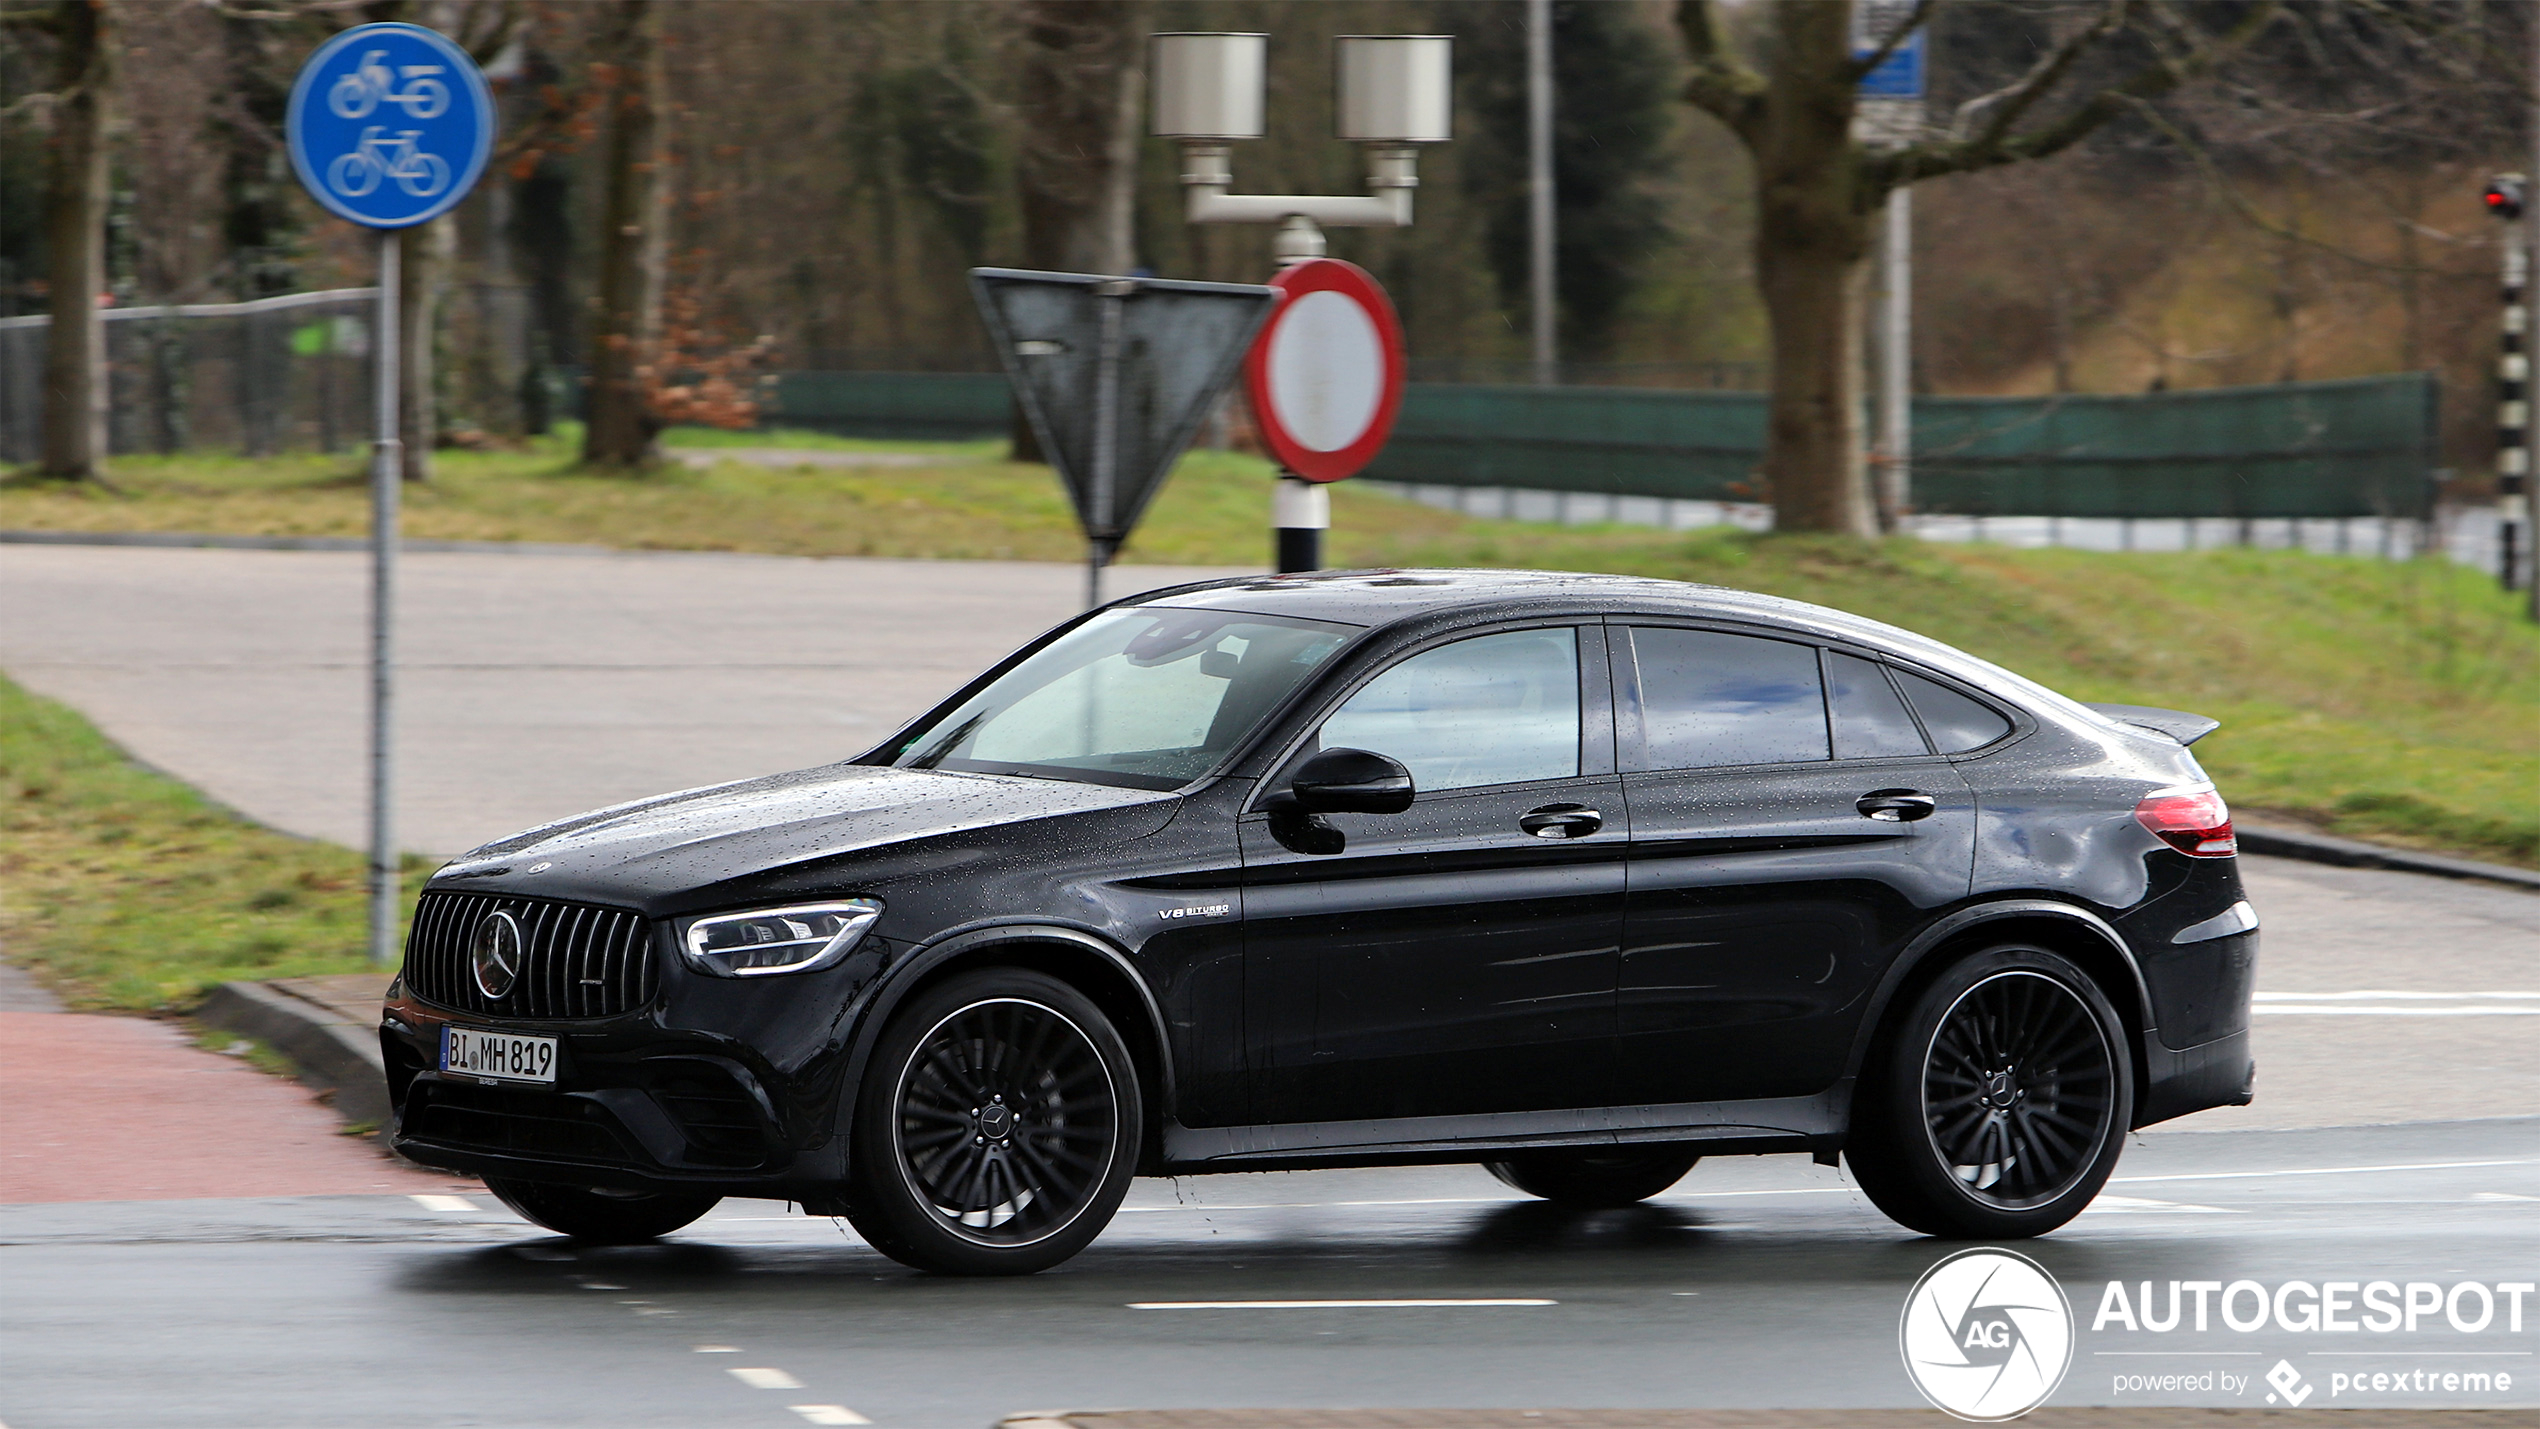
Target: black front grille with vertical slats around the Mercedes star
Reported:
[(575, 961)]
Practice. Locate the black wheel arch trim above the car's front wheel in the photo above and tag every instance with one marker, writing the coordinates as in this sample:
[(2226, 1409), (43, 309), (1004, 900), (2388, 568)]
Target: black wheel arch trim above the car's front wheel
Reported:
[(1078, 958)]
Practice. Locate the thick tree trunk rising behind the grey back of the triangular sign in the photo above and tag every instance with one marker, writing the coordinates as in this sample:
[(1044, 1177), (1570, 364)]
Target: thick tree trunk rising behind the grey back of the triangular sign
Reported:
[(1083, 108)]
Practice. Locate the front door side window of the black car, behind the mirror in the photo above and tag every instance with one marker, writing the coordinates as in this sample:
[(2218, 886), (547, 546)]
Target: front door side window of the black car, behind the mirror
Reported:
[(1495, 709)]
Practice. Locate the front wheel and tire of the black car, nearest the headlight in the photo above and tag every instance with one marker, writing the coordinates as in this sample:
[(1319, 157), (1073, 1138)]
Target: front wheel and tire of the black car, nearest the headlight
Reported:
[(997, 1128)]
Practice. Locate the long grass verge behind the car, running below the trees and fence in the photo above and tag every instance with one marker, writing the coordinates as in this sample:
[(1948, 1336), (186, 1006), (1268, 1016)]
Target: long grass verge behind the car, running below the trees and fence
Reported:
[(2376, 699)]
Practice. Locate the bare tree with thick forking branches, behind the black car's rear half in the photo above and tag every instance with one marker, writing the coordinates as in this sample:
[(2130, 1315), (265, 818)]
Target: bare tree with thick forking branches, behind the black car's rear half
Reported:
[(1820, 192)]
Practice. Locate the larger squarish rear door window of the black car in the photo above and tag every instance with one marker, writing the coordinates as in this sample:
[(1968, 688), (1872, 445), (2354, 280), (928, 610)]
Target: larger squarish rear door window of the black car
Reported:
[(1726, 699)]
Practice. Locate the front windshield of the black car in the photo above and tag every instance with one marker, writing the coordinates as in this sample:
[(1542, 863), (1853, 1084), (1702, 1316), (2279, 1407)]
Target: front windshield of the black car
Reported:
[(1134, 697)]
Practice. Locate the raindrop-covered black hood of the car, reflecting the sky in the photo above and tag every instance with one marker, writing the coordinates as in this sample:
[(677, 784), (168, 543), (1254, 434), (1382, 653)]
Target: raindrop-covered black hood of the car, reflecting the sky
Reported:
[(631, 854)]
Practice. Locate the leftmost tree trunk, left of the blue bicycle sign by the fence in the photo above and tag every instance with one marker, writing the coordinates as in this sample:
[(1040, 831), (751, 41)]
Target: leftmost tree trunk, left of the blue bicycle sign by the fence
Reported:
[(75, 359)]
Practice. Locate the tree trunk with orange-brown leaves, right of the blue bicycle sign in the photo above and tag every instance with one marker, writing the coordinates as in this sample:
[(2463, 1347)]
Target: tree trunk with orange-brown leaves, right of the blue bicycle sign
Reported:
[(626, 319)]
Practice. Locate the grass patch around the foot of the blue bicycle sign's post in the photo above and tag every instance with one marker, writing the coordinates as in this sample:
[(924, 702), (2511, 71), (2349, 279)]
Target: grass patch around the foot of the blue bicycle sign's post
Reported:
[(131, 892)]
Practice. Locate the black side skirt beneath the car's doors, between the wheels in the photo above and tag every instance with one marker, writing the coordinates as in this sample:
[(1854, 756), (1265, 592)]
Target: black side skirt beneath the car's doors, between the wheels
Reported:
[(1723, 1128)]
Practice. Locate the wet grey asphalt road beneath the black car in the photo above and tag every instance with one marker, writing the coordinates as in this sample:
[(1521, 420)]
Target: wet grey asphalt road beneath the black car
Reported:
[(1756, 1283)]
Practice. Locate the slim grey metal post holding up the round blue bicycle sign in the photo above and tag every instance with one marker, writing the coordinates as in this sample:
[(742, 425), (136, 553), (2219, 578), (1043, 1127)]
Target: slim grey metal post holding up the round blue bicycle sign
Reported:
[(387, 473)]
